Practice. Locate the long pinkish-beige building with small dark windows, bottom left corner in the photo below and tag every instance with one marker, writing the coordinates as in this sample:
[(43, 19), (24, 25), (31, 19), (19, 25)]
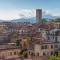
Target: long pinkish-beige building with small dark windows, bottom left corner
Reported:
[(9, 53)]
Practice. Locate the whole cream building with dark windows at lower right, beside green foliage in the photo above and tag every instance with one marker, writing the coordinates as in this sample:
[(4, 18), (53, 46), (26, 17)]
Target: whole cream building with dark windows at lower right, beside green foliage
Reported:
[(46, 48)]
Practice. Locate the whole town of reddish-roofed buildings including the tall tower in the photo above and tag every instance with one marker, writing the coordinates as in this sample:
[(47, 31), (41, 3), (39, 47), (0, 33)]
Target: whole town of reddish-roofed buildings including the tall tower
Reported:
[(34, 41)]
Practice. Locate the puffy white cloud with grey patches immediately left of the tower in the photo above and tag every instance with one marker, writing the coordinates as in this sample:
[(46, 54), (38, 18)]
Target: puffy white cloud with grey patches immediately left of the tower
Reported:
[(27, 13)]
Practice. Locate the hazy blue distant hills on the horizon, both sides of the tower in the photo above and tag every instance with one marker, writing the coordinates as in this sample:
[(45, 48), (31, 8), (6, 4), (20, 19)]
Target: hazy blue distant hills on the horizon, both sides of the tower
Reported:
[(32, 20)]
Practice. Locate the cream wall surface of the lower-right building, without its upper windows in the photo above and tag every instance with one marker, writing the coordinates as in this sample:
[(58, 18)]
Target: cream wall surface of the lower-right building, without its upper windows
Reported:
[(47, 51)]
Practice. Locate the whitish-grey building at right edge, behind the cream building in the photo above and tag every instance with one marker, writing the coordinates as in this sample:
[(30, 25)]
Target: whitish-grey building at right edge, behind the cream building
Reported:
[(54, 35)]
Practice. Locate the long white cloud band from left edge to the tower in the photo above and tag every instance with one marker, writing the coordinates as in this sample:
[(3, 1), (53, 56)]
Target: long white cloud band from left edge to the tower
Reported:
[(16, 14)]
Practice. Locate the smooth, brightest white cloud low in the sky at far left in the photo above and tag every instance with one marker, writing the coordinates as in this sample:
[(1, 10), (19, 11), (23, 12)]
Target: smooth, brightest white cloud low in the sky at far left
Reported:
[(8, 15)]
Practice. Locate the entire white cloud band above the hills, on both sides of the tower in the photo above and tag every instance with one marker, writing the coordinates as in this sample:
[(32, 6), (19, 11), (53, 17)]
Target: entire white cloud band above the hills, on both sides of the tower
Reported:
[(25, 13)]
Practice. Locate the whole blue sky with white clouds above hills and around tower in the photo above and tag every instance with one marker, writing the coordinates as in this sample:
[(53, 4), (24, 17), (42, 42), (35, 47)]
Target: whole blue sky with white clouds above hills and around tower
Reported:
[(15, 9)]
